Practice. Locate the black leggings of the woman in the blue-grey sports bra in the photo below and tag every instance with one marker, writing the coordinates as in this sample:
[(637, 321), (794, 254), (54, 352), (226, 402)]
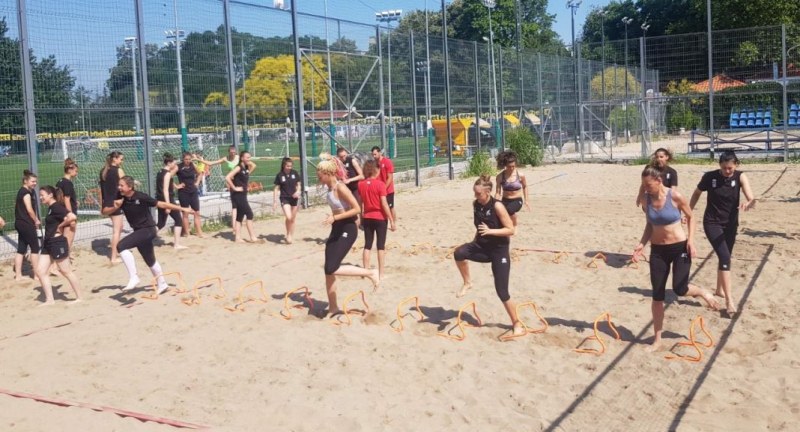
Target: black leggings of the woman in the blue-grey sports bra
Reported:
[(661, 257)]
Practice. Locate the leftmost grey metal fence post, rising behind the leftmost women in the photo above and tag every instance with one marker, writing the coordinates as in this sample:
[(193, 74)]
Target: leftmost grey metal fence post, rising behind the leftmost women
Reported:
[(27, 91)]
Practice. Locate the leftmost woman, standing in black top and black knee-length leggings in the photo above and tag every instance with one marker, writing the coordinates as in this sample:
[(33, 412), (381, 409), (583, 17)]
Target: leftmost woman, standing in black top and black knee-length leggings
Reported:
[(26, 222)]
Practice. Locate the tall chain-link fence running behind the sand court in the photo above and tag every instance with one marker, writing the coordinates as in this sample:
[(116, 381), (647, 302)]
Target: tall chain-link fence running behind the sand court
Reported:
[(204, 75)]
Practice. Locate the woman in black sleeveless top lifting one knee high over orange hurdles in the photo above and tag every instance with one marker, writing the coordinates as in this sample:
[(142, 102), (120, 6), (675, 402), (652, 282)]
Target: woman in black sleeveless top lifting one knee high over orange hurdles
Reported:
[(494, 229)]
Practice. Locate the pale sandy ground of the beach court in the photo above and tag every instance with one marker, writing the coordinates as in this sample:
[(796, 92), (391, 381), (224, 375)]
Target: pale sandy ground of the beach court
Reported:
[(253, 370)]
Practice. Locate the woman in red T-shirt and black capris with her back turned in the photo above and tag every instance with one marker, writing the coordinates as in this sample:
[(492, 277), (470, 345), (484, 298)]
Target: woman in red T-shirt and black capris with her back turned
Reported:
[(375, 214)]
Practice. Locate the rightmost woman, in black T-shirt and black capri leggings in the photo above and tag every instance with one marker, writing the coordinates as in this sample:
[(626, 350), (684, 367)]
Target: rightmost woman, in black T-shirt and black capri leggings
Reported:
[(721, 218)]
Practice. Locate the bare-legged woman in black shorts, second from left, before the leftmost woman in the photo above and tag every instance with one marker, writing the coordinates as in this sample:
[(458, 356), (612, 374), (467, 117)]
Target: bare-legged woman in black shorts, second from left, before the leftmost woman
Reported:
[(58, 220)]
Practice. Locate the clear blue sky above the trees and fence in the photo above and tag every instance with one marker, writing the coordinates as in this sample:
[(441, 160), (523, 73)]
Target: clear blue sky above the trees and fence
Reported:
[(84, 34)]
